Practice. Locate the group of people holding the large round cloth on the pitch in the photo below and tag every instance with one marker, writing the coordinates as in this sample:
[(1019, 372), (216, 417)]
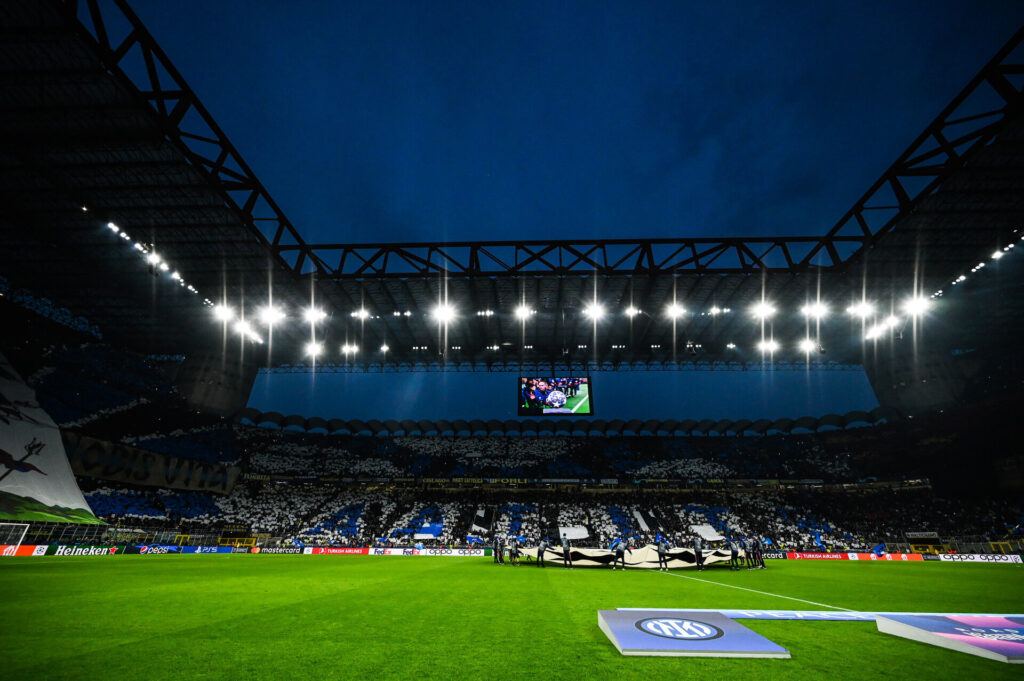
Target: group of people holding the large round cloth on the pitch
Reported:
[(753, 549)]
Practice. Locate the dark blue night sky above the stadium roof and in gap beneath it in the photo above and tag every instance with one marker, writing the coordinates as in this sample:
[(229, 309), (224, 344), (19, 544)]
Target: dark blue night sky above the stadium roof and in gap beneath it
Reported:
[(455, 121)]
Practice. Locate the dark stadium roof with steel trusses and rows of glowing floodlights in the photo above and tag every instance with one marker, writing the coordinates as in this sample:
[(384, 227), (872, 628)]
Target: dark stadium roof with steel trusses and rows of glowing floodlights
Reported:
[(101, 129)]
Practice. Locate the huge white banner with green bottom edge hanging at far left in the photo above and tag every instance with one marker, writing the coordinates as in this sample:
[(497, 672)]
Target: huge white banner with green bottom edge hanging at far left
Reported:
[(36, 483)]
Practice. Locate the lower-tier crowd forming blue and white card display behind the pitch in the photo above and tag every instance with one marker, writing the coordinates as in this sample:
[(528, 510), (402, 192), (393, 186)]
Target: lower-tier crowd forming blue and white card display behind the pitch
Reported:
[(314, 515)]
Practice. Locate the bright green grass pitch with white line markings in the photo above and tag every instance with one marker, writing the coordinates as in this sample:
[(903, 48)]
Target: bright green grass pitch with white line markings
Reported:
[(281, 617)]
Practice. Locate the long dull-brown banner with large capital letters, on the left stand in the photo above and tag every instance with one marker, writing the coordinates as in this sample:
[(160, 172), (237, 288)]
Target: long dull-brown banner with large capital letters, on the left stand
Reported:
[(112, 461)]
